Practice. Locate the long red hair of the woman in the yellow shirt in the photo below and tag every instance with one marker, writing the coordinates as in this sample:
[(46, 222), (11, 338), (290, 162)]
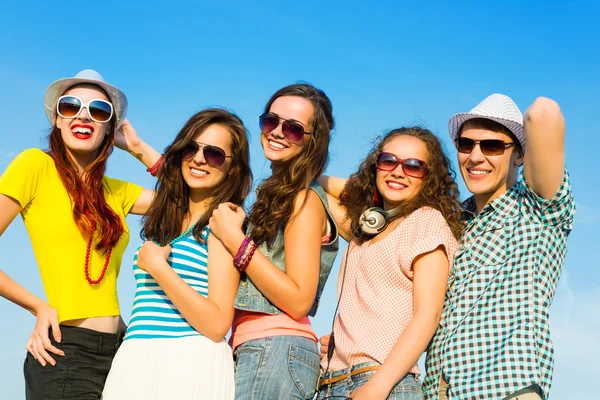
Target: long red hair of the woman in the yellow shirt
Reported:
[(86, 191)]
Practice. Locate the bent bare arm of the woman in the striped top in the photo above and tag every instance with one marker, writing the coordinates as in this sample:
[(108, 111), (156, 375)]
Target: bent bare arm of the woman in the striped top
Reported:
[(210, 316)]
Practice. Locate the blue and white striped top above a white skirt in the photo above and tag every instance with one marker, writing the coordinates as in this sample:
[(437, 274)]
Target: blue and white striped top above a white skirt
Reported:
[(153, 314)]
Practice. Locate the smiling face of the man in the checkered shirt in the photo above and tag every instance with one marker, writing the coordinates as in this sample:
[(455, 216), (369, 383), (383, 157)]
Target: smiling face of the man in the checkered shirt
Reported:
[(488, 177)]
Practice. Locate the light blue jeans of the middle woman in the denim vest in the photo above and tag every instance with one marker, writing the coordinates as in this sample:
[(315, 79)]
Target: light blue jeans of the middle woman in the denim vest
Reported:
[(278, 367)]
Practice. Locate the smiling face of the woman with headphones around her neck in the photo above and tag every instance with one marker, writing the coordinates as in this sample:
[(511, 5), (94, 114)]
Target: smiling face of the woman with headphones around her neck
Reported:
[(395, 186)]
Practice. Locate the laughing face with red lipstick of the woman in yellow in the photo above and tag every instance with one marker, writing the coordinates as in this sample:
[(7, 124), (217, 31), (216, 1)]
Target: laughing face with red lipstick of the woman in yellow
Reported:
[(82, 135)]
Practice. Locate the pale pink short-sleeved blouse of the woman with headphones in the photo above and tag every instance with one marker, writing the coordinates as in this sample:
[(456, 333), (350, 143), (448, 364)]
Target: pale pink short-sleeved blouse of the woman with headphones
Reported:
[(377, 302)]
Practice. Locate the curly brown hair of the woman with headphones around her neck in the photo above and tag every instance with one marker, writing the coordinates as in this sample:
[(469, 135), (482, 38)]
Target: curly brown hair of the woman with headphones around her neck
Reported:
[(439, 190)]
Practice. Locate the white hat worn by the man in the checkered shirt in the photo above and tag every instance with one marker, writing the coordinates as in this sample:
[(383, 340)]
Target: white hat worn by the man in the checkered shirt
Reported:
[(495, 107)]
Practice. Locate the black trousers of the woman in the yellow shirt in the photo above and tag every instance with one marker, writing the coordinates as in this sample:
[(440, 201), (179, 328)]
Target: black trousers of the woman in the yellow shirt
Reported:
[(80, 374)]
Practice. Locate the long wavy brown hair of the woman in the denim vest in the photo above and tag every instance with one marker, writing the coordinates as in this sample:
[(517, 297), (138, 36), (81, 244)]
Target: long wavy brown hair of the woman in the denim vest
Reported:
[(276, 195)]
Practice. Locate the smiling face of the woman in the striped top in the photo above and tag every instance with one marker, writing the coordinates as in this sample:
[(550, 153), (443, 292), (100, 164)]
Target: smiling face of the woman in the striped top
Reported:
[(201, 177)]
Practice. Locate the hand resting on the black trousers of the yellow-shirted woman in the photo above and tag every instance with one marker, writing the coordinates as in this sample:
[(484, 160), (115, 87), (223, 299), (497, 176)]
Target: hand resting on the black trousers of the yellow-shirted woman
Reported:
[(39, 343)]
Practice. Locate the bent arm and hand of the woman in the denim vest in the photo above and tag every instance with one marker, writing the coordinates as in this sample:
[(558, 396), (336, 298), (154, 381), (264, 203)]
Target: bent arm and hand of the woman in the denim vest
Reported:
[(294, 290)]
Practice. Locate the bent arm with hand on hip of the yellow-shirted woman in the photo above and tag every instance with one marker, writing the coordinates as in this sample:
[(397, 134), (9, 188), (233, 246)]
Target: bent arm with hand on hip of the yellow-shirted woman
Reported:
[(46, 316)]
